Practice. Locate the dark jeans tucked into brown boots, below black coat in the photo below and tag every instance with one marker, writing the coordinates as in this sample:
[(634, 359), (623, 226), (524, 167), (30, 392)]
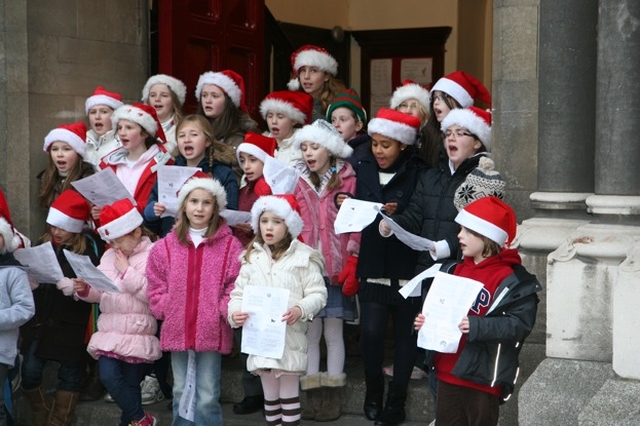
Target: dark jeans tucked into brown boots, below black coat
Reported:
[(69, 373)]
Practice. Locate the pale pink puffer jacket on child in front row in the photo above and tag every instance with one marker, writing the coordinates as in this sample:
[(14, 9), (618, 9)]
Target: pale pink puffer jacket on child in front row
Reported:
[(126, 328)]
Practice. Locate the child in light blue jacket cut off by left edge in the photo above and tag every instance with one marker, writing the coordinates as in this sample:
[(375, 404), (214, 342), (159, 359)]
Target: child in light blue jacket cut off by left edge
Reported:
[(16, 302)]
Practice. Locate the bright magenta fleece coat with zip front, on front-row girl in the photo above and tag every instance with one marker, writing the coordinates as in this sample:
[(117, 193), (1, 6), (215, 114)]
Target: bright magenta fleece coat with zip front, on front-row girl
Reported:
[(189, 289)]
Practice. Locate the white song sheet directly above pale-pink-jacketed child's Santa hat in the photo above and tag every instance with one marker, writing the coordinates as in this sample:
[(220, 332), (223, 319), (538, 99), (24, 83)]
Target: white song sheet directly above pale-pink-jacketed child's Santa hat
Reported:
[(102, 188)]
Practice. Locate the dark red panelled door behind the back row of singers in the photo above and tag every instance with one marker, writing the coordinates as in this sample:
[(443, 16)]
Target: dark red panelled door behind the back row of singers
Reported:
[(195, 36)]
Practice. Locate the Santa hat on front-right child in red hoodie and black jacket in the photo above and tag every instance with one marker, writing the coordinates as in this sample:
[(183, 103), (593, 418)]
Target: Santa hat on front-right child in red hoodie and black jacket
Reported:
[(490, 217)]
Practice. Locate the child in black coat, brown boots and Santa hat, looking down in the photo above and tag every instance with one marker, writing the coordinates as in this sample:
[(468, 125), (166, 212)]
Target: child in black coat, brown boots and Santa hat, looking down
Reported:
[(57, 331)]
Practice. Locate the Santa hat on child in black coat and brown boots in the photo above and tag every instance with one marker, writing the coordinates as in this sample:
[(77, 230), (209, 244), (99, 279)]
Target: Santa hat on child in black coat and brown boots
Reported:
[(69, 212)]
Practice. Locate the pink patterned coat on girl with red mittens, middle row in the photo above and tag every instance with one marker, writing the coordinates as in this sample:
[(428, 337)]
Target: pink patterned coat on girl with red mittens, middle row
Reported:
[(319, 212)]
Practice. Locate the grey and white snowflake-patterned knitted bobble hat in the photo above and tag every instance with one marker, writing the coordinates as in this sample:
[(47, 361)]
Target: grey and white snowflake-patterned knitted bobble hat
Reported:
[(483, 181)]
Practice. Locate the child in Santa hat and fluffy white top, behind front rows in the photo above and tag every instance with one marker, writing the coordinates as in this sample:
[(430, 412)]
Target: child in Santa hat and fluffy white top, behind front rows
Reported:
[(285, 111)]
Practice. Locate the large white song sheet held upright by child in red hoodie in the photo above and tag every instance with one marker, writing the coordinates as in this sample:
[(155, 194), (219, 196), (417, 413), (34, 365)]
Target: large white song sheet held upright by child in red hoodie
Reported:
[(448, 301)]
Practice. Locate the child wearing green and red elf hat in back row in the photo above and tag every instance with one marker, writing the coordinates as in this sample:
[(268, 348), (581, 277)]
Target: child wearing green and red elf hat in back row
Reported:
[(350, 119)]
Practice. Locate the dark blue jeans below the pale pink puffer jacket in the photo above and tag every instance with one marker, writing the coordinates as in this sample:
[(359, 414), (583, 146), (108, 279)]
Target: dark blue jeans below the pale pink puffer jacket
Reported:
[(122, 381)]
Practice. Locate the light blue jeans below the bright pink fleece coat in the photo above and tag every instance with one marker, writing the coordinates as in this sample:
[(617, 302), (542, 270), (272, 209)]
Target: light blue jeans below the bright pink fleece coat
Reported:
[(208, 373)]
